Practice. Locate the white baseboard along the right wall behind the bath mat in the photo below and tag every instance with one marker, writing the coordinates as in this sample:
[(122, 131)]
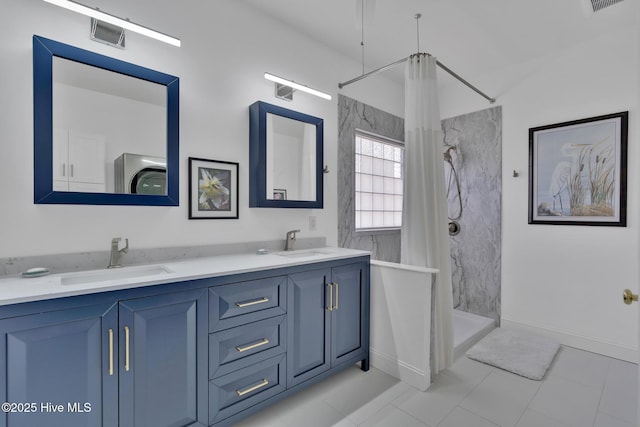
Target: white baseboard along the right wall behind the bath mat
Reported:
[(584, 343)]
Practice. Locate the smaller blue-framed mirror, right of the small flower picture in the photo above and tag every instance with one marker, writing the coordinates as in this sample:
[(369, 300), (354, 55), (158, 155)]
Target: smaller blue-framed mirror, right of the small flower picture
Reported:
[(286, 158)]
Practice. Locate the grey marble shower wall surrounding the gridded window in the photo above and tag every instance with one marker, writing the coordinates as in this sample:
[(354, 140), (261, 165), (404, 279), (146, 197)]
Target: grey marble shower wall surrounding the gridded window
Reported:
[(352, 115)]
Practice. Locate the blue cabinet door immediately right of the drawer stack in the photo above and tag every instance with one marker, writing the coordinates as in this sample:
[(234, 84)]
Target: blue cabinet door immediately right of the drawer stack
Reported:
[(309, 325)]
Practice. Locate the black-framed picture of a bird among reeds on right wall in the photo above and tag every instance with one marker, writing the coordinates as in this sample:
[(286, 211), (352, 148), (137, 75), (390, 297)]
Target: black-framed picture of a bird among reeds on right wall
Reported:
[(578, 172)]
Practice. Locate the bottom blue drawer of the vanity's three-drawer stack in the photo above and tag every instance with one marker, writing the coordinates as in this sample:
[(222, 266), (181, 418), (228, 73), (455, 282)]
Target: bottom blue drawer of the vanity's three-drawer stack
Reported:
[(239, 390)]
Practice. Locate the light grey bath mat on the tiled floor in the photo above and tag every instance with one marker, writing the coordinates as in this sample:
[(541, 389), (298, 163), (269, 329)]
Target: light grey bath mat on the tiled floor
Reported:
[(520, 352)]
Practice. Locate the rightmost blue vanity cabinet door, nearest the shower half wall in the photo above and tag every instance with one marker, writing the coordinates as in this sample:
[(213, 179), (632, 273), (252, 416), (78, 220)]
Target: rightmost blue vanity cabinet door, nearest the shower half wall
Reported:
[(348, 337)]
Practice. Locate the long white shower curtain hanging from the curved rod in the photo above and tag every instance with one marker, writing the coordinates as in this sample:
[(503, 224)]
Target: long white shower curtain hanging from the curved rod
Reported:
[(425, 239)]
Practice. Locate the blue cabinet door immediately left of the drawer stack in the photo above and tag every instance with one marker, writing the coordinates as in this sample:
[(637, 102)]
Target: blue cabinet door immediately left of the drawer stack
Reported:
[(163, 363)]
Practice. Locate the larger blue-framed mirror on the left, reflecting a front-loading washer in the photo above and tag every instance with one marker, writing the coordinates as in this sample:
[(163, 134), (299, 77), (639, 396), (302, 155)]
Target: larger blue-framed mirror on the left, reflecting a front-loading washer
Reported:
[(106, 132)]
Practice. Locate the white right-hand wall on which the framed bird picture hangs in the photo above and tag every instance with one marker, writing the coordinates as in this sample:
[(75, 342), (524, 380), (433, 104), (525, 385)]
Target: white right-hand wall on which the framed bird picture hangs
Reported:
[(566, 281)]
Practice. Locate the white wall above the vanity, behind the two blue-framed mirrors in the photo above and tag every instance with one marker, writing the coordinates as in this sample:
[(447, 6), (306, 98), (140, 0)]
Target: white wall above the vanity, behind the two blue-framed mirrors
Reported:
[(226, 48)]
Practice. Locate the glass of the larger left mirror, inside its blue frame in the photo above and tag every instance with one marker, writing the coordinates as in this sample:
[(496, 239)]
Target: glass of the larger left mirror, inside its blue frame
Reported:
[(97, 116)]
